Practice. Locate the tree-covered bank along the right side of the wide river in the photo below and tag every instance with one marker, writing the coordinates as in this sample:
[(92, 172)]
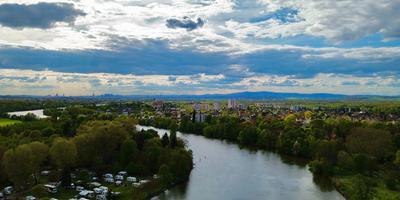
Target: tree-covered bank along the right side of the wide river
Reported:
[(327, 154)]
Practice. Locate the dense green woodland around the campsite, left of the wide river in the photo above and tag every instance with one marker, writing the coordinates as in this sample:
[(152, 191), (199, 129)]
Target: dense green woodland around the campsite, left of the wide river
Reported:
[(78, 139)]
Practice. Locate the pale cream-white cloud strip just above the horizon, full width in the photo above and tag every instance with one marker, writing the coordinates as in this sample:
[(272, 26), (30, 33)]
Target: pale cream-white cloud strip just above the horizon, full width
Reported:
[(13, 81)]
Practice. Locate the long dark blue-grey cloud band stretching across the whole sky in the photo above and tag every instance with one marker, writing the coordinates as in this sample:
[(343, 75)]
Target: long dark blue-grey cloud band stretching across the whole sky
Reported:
[(154, 57)]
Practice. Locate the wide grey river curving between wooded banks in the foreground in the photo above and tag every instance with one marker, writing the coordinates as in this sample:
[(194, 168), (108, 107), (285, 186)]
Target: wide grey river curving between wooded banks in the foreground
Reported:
[(223, 171)]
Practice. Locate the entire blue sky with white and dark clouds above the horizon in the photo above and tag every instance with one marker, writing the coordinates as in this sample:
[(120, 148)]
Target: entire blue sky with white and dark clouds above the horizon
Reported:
[(131, 47)]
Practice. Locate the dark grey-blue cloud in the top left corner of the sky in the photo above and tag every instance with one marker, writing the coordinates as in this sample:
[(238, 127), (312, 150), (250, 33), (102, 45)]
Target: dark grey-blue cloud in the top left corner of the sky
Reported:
[(40, 15)]
